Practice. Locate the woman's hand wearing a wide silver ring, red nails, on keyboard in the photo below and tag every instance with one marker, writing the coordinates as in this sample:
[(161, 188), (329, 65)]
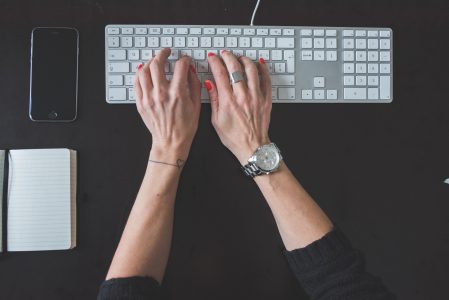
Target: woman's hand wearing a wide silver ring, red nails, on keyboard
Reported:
[(240, 112)]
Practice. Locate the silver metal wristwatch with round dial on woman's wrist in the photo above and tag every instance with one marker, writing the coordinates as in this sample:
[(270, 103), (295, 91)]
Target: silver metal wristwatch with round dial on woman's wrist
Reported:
[(265, 160)]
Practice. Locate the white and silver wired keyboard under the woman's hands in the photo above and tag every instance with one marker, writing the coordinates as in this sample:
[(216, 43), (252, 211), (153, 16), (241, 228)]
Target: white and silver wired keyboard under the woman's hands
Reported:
[(307, 64)]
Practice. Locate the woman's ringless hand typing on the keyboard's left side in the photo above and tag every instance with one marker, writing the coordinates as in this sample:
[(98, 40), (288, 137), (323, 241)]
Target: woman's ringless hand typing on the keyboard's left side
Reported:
[(169, 109)]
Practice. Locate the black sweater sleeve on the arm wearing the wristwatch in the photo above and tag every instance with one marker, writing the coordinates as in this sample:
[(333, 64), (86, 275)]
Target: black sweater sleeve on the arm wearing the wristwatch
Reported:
[(330, 268)]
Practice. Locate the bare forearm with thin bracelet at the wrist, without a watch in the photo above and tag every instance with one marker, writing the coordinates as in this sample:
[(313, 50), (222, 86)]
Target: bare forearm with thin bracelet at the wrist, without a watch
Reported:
[(145, 244)]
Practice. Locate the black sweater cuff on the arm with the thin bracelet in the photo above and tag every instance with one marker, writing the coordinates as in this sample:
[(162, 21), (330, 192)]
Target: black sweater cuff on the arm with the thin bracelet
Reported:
[(130, 288)]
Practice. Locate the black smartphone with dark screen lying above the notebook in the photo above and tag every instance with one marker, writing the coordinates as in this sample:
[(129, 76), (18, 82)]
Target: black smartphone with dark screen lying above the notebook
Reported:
[(54, 74)]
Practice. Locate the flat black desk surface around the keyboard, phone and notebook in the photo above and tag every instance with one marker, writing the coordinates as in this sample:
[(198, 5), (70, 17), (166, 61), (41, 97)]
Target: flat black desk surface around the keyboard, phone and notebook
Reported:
[(377, 170)]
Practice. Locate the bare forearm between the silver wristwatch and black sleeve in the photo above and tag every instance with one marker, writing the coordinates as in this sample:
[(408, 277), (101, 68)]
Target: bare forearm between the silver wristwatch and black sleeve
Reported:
[(299, 219)]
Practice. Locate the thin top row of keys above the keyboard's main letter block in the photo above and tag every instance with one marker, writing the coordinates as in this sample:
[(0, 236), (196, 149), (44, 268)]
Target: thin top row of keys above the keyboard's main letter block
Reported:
[(199, 31)]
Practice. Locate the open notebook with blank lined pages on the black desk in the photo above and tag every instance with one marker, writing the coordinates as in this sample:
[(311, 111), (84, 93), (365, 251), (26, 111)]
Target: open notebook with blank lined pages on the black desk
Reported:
[(39, 196)]
